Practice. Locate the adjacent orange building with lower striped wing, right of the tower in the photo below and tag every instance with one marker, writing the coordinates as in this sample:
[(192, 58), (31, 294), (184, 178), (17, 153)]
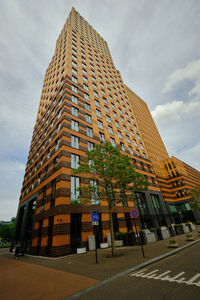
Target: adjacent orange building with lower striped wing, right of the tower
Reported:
[(175, 178)]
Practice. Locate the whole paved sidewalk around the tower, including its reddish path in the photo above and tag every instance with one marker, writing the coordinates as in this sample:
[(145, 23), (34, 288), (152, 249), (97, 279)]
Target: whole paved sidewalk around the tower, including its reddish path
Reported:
[(68, 275)]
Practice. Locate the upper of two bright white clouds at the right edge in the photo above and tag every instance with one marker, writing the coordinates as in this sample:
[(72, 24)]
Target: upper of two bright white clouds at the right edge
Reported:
[(190, 72)]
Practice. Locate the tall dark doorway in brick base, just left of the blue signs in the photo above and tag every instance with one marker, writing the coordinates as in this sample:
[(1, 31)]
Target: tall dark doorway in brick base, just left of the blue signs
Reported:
[(75, 232)]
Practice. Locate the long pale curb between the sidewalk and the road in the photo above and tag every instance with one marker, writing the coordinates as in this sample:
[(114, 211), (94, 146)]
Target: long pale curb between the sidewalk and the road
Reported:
[(135, 268)]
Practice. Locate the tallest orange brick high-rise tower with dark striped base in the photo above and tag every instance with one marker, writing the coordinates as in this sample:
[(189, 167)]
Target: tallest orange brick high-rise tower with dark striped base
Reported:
[(83, 101)]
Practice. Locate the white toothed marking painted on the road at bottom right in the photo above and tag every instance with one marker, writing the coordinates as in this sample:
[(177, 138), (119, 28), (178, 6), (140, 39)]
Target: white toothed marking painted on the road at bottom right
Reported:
[(165, 277)]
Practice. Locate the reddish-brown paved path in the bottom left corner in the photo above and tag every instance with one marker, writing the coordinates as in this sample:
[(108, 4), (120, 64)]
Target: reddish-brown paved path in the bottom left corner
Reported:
[(20, 280)]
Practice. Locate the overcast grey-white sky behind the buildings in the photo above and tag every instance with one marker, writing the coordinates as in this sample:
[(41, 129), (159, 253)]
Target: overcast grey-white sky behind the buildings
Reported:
[(154, 43)]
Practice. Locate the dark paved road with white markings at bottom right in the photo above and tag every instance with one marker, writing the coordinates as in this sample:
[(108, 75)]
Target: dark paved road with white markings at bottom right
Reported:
[(177, 277)]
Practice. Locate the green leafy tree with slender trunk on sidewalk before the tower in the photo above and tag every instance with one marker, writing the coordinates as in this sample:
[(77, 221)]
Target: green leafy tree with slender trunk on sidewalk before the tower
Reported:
[(111, 176)]
